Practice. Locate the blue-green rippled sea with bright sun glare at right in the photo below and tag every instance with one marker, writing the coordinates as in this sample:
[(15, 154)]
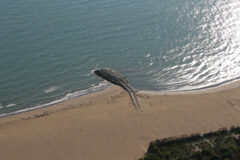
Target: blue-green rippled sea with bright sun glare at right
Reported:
[(48, 49)]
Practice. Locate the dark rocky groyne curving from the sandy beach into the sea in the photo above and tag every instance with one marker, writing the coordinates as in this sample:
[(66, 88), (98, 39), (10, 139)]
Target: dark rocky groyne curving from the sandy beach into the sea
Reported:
[(117, 79)]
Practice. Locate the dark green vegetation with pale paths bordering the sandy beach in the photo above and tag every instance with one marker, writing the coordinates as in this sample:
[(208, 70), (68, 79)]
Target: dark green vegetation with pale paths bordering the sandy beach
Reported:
[(219, 145)]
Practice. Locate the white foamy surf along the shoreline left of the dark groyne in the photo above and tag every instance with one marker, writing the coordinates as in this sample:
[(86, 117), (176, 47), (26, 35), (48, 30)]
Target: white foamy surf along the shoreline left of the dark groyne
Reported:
[(101, 86)]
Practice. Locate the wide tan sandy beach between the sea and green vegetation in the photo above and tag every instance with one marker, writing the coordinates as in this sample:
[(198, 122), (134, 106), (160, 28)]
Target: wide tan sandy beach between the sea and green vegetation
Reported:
[(105, 125)]
